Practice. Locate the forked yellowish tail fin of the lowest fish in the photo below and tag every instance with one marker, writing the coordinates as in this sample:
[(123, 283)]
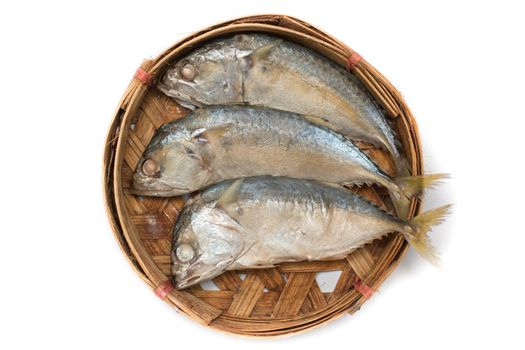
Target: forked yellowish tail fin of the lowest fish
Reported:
[(417, 232)]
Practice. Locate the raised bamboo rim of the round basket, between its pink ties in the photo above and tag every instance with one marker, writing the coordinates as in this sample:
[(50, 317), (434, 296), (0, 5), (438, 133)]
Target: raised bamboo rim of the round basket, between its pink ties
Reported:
[(113, 193)]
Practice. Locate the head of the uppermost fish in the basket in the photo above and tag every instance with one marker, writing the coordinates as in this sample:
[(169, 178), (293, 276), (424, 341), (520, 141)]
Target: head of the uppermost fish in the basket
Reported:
[(209, 76)]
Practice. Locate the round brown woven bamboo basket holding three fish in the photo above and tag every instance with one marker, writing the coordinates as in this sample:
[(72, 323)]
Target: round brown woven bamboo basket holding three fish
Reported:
[(271, 302)]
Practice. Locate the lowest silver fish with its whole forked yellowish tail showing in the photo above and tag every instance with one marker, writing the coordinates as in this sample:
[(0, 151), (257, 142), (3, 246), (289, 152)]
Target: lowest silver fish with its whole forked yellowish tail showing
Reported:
[(260, 222)]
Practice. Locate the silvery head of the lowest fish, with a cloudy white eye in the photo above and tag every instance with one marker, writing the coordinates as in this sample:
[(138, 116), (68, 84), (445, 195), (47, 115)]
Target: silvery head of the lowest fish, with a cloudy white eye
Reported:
[(206, 242)]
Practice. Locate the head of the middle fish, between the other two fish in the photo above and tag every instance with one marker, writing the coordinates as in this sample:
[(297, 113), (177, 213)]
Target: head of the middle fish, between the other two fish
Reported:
[(174, 163)]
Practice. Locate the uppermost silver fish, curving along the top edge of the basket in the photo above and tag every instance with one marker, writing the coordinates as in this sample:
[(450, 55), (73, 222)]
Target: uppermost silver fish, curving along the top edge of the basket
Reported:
[(264, 70)]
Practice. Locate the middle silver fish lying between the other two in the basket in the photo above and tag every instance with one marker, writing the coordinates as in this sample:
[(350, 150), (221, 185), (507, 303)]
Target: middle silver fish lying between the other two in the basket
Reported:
[(219, 143)]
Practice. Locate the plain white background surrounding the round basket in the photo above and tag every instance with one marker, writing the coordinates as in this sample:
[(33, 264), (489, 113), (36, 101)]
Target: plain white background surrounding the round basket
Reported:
[(64, 66)]
